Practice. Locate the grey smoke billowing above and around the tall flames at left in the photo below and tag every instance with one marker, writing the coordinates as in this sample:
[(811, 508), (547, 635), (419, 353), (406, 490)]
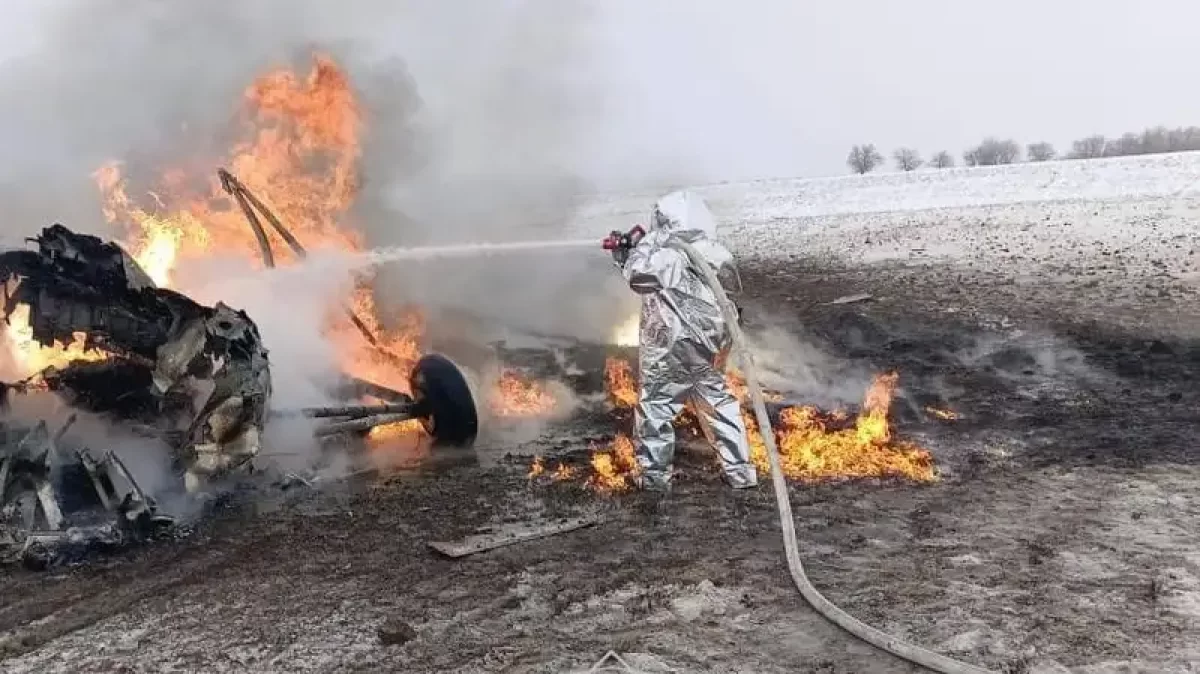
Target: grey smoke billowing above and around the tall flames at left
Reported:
[(487, 121)]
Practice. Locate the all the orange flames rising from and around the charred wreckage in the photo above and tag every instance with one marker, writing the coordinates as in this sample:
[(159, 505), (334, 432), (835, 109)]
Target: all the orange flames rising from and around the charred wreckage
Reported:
[(298, 152)]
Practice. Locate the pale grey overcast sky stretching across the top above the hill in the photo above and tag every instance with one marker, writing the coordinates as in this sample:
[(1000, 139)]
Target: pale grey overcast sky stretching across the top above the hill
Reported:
[(652, 91)]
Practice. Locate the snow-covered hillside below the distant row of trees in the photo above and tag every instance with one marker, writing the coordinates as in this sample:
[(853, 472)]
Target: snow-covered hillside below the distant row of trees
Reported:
[(1017, 213)]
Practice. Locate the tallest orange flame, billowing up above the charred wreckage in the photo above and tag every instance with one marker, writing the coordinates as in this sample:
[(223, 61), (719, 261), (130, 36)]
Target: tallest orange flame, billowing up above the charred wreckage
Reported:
[(298, 153)]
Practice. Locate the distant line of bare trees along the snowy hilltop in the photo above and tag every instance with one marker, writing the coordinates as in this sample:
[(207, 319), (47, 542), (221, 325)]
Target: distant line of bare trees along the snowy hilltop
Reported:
[(997, 152)]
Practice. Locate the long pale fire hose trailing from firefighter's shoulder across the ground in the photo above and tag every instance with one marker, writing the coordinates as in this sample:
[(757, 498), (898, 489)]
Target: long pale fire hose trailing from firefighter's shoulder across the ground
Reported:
[(879, 640)]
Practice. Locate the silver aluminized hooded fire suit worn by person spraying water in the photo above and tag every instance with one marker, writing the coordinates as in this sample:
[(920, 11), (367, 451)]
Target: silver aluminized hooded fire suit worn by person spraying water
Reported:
[(683, 338)]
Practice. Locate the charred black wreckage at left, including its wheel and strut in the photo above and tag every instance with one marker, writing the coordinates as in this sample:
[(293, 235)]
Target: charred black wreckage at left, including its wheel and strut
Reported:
[(195, 377)]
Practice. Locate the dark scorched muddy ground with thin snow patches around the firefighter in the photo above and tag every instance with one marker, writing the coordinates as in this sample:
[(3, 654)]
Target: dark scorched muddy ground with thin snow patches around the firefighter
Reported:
[(1061, 537)]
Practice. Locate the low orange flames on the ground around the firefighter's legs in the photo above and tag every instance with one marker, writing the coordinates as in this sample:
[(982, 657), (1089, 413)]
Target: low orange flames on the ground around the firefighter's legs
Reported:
[(813, 446)]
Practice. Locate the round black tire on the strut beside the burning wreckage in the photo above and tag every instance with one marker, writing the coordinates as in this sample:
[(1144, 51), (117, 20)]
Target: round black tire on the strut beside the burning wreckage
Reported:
[(443, 395)]
